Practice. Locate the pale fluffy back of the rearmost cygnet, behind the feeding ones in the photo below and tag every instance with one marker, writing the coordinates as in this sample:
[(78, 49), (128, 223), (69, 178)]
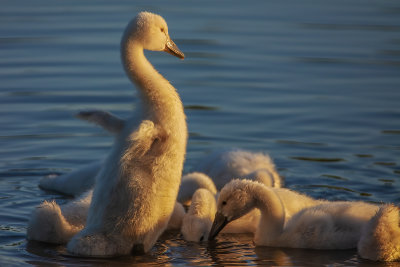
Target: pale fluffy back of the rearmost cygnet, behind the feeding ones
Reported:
[(224, 165)]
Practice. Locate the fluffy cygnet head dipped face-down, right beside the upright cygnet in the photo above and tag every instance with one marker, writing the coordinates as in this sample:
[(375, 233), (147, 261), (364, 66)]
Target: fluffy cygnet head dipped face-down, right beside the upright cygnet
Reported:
[(197, 222)]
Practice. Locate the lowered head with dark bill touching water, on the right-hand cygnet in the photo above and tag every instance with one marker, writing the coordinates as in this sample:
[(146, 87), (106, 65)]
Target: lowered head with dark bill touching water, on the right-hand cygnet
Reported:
[(234, 201)]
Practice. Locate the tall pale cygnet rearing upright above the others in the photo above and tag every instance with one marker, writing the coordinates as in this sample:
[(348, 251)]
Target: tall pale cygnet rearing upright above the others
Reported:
[(136, 189)]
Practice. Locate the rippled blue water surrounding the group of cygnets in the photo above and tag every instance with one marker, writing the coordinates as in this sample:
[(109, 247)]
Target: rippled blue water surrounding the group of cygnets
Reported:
[(313, 83)]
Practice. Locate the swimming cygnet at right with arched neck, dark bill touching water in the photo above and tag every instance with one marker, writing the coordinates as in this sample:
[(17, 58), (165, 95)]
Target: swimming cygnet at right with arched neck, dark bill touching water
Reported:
[(321, 225)]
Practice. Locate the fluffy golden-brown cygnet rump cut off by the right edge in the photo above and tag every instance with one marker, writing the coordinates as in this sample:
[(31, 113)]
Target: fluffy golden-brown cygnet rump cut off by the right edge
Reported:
[(380, 238)]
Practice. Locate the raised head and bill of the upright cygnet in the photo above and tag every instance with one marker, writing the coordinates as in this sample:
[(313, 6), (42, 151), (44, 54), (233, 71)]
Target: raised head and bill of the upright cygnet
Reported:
[(151, 32)]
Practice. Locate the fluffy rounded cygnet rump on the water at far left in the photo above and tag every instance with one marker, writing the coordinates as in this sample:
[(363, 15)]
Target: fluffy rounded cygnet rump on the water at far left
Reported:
[(47, 224)]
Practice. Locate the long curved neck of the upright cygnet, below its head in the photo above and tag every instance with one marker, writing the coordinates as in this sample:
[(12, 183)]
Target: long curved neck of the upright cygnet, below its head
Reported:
[(158, 96)]
